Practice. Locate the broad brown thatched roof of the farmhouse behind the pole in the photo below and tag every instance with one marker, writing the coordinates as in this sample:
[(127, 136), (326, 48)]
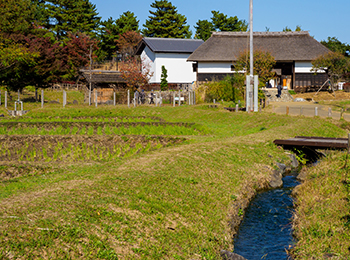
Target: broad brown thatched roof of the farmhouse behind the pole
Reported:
[(284, 46)]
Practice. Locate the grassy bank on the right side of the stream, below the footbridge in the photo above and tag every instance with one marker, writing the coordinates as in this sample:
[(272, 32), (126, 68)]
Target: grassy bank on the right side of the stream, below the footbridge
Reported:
[(322, 224)]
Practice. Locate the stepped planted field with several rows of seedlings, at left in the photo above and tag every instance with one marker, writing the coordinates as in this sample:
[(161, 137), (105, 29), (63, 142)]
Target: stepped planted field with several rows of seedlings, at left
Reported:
[(84, 139)]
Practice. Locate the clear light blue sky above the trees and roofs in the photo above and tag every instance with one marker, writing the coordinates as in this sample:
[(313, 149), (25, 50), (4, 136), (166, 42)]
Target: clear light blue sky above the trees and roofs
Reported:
[(322, 18)]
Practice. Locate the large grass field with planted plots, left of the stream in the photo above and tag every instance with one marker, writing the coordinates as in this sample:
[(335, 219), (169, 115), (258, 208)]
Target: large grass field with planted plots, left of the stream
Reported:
[(170, 194)]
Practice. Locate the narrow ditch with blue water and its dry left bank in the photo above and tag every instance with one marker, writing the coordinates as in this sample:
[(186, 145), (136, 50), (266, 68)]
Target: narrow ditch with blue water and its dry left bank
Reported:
[(262, 222)]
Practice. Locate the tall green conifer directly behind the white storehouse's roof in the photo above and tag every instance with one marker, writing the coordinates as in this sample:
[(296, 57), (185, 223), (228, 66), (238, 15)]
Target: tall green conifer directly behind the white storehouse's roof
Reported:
[(166, 22)]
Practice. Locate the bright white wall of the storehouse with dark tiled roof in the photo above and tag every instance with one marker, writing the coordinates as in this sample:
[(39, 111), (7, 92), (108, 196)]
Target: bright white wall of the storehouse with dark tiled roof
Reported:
[(179, 70)]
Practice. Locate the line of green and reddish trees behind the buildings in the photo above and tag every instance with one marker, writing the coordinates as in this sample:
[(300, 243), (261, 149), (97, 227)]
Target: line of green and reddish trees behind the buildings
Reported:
[(48, 41)]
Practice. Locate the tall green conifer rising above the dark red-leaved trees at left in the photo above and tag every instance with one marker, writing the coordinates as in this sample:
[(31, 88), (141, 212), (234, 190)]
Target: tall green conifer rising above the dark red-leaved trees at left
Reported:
[(63, 16)]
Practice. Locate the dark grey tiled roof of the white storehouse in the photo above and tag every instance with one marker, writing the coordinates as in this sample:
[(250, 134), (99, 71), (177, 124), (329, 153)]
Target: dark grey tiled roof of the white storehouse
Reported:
[(169, 45)]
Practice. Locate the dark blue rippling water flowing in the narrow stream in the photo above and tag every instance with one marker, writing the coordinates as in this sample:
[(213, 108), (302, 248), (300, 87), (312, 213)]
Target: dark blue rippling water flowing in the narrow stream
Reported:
[(266, 231)]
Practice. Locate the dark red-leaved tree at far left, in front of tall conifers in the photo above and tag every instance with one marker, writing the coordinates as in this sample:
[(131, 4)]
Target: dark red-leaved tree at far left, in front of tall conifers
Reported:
[(53, 61)]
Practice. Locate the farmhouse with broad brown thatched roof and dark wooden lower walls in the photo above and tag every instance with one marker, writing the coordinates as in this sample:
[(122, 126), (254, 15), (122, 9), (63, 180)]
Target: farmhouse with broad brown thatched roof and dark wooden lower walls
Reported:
[(293, 52)]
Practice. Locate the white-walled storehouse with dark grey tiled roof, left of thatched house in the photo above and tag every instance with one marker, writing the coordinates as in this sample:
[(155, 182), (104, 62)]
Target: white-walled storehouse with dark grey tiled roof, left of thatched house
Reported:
[(173, 55)]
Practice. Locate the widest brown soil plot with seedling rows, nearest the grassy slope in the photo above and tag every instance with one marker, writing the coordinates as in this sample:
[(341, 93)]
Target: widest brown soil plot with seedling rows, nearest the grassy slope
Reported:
[(33, 148)]
